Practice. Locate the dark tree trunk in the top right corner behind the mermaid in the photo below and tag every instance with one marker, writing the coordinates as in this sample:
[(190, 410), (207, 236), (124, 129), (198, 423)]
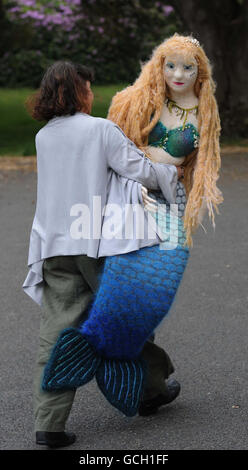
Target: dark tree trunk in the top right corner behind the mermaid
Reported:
[(222, 29)]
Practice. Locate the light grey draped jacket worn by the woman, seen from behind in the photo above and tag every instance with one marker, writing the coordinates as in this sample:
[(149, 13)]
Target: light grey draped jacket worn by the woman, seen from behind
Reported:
[(85, 165)]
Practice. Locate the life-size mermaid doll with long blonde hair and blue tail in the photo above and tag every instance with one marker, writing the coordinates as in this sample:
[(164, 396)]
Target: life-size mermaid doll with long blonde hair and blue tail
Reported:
[(171, 114)]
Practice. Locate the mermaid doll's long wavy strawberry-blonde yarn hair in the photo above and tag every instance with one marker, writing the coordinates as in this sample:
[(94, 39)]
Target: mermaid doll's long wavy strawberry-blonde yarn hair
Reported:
[(137, 109)]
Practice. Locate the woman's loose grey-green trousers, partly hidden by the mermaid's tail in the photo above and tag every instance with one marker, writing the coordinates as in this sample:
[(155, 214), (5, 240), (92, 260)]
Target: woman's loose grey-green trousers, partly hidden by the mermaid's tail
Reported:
[(69, 284)]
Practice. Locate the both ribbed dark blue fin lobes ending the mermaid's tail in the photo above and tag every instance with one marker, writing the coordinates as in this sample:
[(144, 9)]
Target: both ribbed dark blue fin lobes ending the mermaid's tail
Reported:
[(74, 362)]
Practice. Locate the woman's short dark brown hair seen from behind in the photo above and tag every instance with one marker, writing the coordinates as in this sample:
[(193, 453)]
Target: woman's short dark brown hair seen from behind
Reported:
[(63, 91)]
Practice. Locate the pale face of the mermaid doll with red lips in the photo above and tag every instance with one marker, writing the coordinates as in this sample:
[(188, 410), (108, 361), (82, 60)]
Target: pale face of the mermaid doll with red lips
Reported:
[(180, 72)]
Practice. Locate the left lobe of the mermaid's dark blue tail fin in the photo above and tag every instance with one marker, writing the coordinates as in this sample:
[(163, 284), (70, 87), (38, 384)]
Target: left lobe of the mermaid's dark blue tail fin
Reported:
[(73, 362)]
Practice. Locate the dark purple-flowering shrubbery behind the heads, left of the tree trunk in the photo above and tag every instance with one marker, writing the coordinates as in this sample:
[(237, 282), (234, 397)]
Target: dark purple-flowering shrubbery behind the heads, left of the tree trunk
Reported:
[(113, 37)]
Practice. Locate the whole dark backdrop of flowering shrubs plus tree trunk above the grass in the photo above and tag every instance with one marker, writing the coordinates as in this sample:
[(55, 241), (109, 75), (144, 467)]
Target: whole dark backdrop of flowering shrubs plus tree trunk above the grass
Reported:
[(114, 37)]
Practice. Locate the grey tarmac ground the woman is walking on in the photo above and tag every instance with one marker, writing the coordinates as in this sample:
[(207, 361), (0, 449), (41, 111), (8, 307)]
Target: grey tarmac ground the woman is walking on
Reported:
[(206, 335)]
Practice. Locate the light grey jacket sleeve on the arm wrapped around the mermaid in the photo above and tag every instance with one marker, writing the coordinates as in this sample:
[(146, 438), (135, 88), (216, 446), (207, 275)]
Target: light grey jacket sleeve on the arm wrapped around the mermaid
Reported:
[(127, 160)]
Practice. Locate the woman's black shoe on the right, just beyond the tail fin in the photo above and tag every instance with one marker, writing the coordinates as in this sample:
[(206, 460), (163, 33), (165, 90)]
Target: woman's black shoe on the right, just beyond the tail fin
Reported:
[(150, 407)]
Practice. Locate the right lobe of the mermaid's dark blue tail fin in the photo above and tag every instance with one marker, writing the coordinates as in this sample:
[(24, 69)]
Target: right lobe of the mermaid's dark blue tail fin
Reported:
[(122, 383)]
